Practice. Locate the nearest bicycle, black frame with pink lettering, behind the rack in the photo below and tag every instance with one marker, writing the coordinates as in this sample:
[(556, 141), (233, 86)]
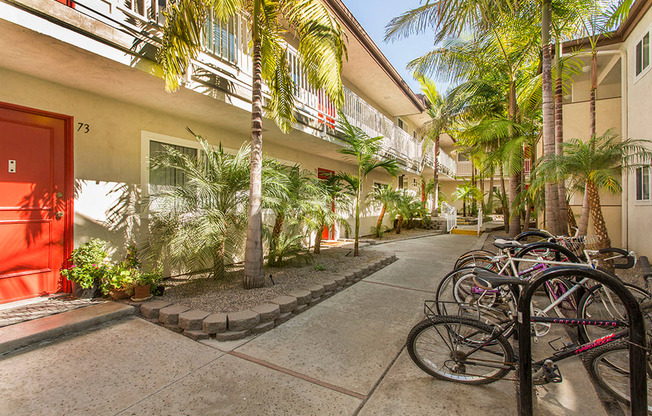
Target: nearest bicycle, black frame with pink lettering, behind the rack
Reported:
[(465, 350)]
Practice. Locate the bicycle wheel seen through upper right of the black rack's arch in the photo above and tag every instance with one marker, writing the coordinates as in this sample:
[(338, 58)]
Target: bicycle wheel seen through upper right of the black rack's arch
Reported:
[(601, 303)]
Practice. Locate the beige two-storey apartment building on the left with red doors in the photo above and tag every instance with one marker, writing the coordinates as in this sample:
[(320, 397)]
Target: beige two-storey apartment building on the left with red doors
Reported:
[(83, 106)]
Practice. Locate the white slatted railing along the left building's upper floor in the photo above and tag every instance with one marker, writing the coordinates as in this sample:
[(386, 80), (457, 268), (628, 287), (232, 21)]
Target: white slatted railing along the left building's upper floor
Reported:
[(226, 45)]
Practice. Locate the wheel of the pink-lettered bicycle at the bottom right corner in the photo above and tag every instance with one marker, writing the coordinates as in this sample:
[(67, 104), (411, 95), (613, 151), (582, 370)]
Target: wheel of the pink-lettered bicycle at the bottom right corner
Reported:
[(609, 366)]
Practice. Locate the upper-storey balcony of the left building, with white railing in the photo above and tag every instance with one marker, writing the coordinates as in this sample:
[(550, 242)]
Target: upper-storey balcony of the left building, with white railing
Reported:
[(225, 65)]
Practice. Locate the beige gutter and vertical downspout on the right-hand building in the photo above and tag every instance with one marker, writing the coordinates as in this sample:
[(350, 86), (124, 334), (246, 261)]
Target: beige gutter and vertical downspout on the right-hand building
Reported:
[(624, 134)]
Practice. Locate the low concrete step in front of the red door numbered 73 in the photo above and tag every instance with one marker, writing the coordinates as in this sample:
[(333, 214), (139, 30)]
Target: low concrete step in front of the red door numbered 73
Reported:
[(21, 335)]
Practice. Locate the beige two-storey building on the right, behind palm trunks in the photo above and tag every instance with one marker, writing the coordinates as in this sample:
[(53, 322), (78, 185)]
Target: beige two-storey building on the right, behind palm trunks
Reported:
[(624, 105)]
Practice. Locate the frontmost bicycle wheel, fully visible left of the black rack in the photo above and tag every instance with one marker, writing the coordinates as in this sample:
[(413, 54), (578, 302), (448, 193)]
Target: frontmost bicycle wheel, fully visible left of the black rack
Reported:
[(459, 349)]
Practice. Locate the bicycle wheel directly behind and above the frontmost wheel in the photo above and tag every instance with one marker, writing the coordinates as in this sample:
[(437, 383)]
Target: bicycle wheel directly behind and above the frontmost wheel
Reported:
[(457, 294)]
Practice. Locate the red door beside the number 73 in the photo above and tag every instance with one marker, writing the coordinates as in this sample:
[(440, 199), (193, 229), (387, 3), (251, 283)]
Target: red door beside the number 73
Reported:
[(35, 201)]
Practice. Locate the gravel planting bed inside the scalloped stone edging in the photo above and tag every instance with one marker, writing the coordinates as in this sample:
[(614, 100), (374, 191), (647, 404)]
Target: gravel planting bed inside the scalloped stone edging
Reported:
[(228, 295)]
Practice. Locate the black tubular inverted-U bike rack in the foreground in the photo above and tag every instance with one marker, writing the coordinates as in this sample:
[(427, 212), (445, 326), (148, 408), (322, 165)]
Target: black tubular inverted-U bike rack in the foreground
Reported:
[(637, 345)]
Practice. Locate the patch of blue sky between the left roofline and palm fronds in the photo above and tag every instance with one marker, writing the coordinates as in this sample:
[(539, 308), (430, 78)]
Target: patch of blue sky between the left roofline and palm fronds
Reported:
[(374, 16)]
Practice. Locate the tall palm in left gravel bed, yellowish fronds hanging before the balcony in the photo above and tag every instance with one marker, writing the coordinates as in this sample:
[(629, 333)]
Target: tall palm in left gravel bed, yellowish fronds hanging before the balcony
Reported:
[(321, 50)]
